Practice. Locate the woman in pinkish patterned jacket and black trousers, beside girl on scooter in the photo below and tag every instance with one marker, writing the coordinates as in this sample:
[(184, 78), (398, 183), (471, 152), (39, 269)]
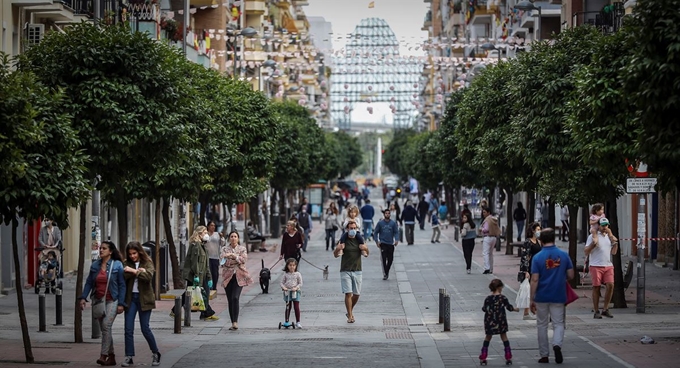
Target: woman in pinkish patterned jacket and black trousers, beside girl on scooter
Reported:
[(235, 274)]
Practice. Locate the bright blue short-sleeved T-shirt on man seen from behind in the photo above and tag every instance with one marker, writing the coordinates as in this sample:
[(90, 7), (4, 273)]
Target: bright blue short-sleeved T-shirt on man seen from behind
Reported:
[(551, 265)]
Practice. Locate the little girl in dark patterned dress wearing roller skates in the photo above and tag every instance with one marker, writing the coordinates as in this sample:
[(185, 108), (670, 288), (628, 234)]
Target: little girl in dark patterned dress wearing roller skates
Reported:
[(495, 321)]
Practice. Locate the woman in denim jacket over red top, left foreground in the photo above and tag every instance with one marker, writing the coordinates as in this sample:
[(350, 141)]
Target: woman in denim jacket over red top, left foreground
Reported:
[(105, 284)]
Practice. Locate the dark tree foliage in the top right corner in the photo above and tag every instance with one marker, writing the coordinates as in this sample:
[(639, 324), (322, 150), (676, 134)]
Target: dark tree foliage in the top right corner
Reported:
[(652, 80)]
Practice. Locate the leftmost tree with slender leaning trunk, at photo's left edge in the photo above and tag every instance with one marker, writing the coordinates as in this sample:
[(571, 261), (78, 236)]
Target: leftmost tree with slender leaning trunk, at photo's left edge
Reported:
[(41, 164)]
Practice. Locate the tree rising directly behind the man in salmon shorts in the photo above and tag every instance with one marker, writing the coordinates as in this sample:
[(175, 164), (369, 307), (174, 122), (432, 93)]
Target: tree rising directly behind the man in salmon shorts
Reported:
[(602, 121)]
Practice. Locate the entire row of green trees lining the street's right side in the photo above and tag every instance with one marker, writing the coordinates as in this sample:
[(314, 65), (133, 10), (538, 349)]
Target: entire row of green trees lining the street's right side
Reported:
[(564, 119)]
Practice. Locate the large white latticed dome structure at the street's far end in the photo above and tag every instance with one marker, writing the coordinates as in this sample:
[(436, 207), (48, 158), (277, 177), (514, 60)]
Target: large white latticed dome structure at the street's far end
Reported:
[(371, 72)]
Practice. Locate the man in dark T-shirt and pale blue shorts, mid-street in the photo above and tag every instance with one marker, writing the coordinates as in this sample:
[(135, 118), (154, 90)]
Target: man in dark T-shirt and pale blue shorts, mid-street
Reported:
[(350, 248)]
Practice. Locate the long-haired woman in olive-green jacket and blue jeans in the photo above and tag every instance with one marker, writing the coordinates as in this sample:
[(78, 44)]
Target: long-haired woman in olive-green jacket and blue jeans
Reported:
[(140, 298)]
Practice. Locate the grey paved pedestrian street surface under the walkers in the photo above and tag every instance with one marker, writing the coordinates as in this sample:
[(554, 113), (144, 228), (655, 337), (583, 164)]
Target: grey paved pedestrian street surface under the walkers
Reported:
[(396, 320)]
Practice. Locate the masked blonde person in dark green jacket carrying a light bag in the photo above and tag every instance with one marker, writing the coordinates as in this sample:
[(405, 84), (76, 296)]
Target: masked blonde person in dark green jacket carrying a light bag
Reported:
[(196, 270)]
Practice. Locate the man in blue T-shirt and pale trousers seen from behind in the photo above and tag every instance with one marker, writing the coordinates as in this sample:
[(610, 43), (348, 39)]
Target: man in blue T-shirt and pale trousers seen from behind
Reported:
[(551, 268)]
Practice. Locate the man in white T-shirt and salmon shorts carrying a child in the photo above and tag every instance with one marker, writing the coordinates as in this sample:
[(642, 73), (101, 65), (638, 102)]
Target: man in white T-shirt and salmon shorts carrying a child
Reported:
[(601, 266)]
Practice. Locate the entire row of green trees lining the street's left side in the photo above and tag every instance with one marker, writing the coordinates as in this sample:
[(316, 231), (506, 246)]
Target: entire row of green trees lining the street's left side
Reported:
[(103, 108)]
